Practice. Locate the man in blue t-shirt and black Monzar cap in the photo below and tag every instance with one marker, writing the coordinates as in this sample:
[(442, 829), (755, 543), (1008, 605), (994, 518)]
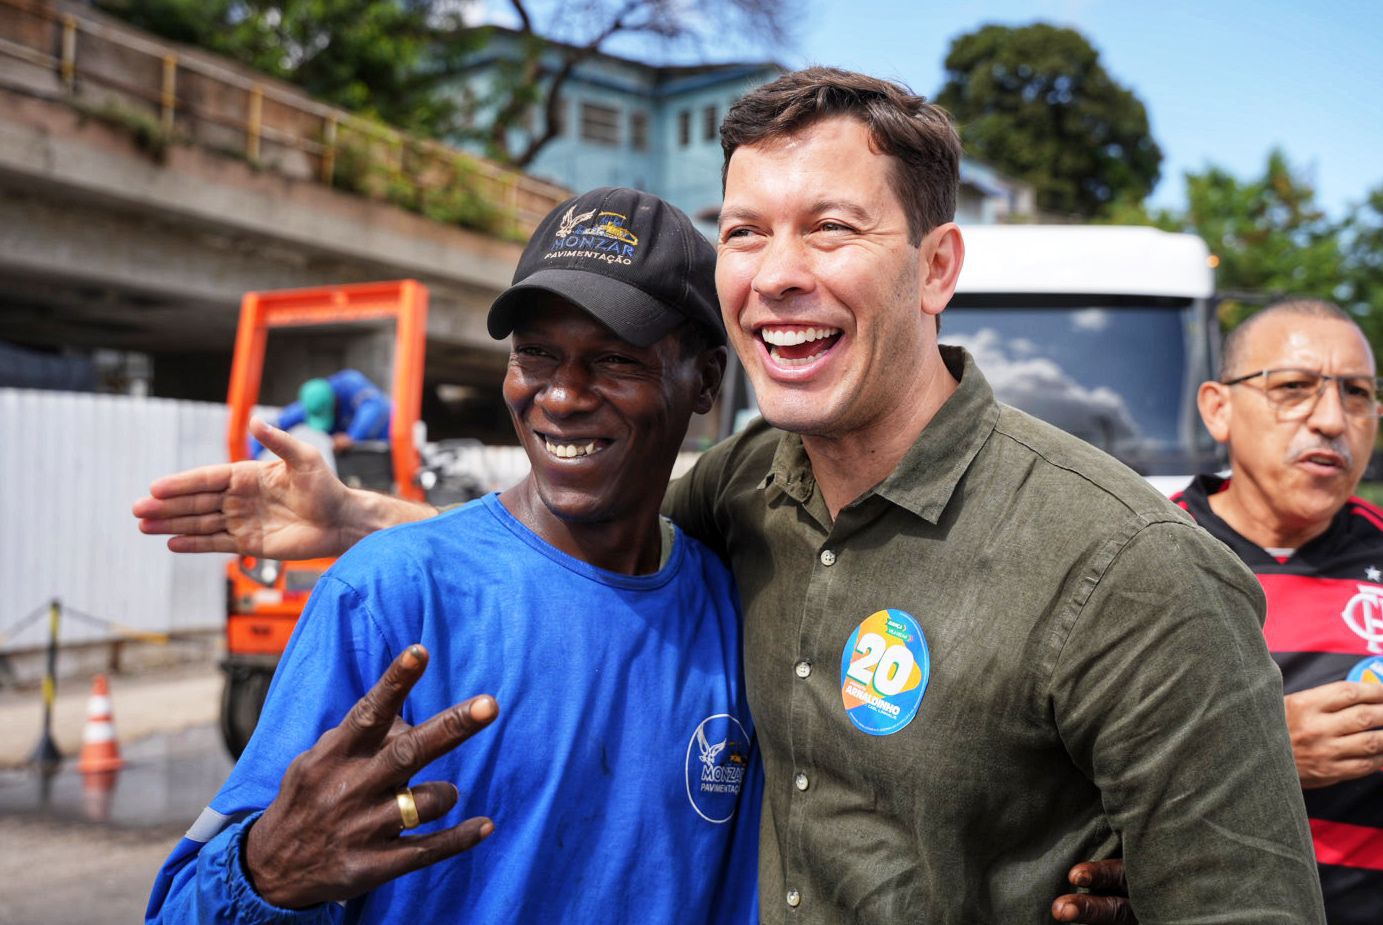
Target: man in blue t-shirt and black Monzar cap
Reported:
[(623, 781)]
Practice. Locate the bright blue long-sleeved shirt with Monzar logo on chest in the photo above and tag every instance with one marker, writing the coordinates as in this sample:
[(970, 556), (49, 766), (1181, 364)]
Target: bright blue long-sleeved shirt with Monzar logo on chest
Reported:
[(622, 774)]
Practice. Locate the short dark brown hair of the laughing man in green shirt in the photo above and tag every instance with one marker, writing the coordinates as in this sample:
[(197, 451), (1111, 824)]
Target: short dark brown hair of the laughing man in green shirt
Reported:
[(918, 133)]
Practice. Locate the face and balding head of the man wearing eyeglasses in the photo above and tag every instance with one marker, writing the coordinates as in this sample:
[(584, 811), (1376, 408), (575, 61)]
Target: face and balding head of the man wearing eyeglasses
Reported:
[(1291, 476)]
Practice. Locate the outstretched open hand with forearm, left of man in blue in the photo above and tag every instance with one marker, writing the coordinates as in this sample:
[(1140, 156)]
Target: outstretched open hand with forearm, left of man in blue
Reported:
[(288, 508)]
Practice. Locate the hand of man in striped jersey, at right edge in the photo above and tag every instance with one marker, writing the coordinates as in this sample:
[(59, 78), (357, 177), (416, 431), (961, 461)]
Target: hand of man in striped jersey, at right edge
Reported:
[(1337, 732)]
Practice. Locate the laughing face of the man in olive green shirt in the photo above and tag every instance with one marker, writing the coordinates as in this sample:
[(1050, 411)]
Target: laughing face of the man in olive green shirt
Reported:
[(824, 297)]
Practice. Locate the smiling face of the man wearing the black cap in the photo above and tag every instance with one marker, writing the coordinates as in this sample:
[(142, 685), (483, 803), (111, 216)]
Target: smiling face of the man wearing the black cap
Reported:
[(601, 420)]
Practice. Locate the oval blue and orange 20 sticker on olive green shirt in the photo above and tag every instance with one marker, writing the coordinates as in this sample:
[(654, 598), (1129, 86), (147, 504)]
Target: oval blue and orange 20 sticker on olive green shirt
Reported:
[(884, 673)]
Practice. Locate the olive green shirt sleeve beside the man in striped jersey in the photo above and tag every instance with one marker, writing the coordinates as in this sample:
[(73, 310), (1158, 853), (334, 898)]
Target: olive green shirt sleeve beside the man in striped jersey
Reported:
[(1167, 695)]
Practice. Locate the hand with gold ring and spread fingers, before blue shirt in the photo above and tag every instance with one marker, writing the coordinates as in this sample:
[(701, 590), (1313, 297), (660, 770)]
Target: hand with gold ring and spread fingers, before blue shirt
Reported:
[(338, 826)]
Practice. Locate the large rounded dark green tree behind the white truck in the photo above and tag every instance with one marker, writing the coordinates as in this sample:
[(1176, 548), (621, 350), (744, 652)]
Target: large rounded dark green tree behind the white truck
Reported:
[(1037, 103)]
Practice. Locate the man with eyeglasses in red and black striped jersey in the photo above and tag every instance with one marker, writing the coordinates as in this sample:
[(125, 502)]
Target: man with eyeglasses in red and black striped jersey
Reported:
[(1298, 407)]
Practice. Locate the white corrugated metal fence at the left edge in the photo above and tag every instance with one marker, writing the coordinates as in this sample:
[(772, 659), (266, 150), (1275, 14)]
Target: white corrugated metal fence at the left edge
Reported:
[(71, 467)]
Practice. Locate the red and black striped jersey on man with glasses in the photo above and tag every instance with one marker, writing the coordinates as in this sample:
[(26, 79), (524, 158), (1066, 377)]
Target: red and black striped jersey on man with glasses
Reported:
[(1326, 624)]
